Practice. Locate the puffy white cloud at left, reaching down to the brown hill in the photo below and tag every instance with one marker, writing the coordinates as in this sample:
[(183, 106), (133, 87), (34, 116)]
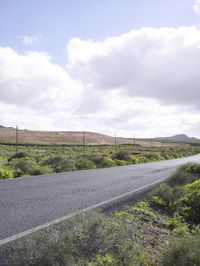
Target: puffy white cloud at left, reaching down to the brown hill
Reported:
[(35, 93)]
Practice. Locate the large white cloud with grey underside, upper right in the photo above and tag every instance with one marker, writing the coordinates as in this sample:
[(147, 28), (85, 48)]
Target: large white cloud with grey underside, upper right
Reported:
[(161, 64)]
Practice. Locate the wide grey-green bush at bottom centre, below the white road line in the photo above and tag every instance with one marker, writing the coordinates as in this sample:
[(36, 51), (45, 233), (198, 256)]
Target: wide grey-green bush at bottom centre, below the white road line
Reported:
[(92, 240)]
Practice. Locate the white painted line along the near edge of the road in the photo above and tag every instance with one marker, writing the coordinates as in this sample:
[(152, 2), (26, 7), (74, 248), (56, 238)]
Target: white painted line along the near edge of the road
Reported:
[(68, 216)]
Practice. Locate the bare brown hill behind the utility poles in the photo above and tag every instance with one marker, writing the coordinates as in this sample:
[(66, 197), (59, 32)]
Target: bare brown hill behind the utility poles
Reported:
[(8, 135)]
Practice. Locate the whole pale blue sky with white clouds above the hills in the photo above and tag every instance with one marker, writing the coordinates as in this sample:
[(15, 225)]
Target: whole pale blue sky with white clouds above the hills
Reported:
[(124, 66)]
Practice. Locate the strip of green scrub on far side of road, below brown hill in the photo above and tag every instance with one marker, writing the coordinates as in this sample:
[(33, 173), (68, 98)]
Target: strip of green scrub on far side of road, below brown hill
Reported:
[(39, 160)]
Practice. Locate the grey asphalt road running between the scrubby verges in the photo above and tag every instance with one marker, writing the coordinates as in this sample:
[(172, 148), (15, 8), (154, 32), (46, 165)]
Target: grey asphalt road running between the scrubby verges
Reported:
[(28, 202)]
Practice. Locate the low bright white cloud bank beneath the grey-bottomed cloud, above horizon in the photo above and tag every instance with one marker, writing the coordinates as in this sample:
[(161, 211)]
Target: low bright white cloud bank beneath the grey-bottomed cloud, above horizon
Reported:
[(146, 117)]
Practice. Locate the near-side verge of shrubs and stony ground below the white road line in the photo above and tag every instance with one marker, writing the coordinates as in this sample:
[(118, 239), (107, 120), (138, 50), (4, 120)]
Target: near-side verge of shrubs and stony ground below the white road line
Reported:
[(163, 229)]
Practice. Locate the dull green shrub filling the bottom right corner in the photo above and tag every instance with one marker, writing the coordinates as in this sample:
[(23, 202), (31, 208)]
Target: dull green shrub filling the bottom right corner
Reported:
[(183, 252)]
